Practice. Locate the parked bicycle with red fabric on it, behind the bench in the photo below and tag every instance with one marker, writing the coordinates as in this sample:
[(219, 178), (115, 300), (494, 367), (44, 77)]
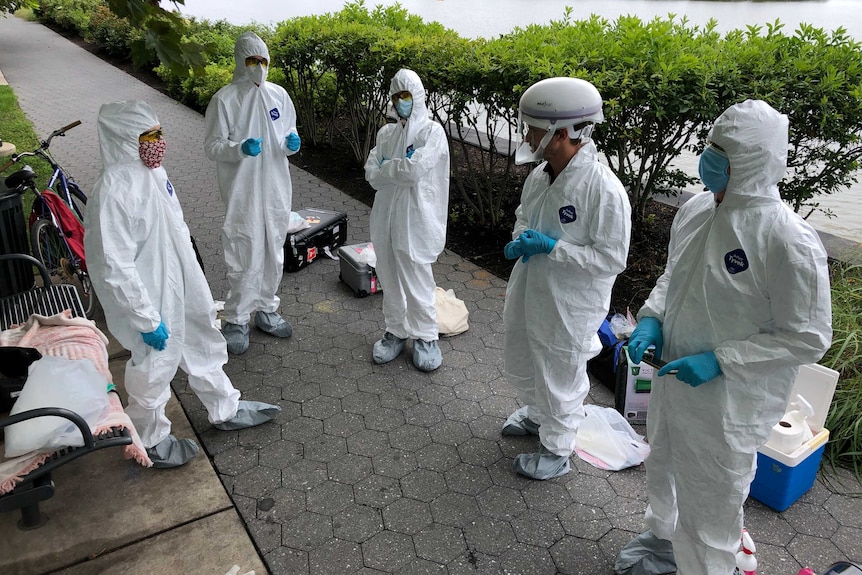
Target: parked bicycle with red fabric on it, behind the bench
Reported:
[(56, 229)]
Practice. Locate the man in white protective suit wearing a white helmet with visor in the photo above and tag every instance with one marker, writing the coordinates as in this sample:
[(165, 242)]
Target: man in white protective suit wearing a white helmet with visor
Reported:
[(571, 239)]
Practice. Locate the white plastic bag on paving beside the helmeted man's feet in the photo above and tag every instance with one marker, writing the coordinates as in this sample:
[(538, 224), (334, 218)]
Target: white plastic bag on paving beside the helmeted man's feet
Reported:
[(607, 441)]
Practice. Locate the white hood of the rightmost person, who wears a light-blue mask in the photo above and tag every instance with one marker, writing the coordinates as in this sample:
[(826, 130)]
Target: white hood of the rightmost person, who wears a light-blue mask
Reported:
[(754, 136)]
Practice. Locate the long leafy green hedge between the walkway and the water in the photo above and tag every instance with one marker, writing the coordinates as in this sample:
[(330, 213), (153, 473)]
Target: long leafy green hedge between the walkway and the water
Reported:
[(664, 82)]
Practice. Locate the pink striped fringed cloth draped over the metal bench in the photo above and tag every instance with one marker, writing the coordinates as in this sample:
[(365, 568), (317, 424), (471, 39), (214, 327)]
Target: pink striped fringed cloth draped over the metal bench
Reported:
[(73, 338)]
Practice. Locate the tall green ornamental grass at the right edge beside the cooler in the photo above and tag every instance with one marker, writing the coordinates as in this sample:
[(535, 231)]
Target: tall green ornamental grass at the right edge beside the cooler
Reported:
[(845, 356)]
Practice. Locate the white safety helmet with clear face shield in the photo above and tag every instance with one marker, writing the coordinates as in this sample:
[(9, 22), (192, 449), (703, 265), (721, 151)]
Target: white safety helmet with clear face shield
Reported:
[(553, 104)]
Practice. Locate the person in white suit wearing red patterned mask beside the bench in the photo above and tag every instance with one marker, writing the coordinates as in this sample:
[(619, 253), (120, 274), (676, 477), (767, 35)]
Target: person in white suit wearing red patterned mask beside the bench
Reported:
[(156, 299)]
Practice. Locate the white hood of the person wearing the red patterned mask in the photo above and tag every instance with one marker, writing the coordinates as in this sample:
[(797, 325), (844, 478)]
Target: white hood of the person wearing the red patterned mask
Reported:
[(120, 124)]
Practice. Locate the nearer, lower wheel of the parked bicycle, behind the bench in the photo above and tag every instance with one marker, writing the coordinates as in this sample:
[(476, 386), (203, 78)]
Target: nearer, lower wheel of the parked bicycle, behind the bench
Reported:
[(51, 249)]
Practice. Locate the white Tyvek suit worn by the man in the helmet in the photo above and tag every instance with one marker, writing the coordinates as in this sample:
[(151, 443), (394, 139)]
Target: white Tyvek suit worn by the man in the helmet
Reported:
[(555, 303)]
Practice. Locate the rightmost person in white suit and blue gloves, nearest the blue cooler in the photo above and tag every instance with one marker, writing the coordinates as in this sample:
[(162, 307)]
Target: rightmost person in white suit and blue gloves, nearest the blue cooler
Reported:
[(744, 301)]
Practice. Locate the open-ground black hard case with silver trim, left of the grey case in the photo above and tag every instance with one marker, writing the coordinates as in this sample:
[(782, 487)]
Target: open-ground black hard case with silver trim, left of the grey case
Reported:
[(328, 229)]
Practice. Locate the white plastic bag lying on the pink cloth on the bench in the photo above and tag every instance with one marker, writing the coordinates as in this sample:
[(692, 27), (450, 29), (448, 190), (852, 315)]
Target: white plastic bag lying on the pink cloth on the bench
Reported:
[(52, 381)]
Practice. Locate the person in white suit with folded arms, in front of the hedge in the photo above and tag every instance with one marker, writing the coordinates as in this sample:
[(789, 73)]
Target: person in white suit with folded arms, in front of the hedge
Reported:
[(409, 169)]
